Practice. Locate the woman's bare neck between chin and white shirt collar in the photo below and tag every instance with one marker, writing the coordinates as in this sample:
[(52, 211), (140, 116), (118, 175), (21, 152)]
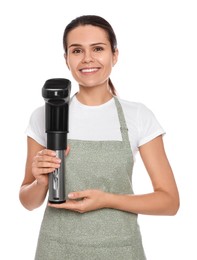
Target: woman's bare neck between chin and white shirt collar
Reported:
[(91, 96)]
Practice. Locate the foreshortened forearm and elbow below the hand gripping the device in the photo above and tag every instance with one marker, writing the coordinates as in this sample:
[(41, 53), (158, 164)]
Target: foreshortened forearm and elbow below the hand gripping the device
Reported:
[(32, 195)]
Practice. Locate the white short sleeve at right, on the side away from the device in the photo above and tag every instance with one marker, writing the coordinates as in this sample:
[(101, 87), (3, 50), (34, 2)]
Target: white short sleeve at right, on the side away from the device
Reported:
[(149, 127)]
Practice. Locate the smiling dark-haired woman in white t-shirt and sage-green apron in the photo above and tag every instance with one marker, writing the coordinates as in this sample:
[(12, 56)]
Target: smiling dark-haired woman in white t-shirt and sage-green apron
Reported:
[(105, 133)]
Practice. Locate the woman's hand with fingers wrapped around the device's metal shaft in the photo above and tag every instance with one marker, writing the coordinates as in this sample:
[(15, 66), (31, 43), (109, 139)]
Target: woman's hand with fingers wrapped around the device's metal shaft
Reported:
[(44, 163)]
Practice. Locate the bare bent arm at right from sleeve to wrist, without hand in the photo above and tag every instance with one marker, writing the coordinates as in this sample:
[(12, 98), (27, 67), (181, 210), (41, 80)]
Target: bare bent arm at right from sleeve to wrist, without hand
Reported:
[(164, 200)]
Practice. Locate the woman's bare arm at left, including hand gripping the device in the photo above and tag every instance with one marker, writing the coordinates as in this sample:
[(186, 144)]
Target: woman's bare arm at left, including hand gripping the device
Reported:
[(39, 163)]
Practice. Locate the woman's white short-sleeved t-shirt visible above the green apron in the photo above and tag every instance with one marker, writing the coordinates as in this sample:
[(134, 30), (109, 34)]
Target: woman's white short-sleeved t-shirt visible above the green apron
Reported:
[(101, 122)]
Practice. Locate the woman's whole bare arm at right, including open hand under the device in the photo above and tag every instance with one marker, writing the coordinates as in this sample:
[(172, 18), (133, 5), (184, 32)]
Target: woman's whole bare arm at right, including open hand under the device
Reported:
[(164, 200)]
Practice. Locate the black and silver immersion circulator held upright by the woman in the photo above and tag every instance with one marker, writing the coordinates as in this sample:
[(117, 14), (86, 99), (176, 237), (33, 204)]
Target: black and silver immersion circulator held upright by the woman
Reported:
[(56, 93)]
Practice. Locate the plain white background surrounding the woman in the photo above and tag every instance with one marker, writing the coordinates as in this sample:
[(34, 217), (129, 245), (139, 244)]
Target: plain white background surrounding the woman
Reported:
[(157, 66)]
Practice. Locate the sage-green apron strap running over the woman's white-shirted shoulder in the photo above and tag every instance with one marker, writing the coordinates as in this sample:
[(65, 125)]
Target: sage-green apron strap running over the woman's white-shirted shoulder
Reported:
[(123, 125)]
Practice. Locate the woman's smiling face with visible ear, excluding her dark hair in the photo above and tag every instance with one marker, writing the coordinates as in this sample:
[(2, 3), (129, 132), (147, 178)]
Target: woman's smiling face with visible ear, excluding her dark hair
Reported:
[(89, 55)]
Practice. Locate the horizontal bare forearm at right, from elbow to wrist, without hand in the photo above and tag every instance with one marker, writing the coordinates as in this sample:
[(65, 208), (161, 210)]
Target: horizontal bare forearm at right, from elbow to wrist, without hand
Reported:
[(156, 203)]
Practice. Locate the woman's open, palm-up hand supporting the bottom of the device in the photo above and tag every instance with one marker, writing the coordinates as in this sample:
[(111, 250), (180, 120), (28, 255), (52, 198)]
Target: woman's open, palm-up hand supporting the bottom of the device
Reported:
[(83, 201)]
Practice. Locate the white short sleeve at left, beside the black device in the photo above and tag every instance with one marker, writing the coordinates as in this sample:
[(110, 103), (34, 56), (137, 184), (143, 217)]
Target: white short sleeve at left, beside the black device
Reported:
[(36, 126)]
